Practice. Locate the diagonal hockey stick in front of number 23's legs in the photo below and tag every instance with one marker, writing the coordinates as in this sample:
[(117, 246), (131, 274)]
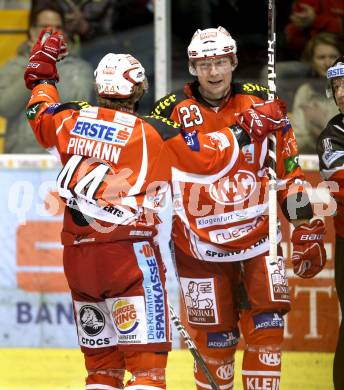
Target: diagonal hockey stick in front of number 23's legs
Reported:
[(193, 349)]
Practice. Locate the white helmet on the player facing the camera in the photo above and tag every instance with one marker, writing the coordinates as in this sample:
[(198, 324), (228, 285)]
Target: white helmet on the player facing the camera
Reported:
[(211, 42)]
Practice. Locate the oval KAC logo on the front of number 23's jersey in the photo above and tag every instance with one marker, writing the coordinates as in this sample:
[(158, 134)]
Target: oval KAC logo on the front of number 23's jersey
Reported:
[(234, 190)]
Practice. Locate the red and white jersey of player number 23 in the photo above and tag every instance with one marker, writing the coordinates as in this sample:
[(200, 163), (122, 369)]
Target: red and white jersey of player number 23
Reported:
[(232, 223)]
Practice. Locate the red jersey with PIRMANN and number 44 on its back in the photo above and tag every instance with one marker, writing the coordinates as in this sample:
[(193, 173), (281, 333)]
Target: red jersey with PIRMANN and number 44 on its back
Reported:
[(116, 165)]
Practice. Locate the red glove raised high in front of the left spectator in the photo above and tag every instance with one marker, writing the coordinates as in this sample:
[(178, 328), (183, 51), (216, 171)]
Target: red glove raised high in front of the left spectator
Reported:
[(49, 48)]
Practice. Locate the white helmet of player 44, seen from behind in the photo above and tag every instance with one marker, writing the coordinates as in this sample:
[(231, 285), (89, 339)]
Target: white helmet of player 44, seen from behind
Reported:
[(117, 74)]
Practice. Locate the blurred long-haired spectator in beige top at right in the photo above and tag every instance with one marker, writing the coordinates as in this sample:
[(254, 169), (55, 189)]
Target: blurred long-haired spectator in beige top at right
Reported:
[(311, 108)]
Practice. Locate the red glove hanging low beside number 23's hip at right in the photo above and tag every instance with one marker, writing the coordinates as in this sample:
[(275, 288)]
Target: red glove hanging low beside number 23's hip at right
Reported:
[(309, 256)]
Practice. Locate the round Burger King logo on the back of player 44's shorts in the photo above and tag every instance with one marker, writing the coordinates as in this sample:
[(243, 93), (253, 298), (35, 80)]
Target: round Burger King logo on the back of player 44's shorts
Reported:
[(125, 316)]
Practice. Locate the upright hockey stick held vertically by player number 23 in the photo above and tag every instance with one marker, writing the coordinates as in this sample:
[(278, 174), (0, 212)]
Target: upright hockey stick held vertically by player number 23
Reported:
[(272, 137)]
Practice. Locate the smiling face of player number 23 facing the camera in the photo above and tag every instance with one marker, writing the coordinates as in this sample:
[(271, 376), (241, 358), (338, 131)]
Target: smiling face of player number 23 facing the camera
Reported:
[(214, 76)]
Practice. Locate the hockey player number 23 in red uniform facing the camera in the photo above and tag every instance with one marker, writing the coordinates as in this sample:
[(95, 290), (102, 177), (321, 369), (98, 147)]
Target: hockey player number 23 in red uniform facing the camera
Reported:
[(220, 231)]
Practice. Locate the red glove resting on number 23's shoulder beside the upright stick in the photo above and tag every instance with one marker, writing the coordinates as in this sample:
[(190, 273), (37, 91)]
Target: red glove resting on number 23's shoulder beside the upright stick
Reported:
[(263, 118)]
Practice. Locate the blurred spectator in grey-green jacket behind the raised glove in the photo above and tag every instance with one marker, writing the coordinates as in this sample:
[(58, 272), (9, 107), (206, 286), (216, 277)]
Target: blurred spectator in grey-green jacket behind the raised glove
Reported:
[(76, 75)]
